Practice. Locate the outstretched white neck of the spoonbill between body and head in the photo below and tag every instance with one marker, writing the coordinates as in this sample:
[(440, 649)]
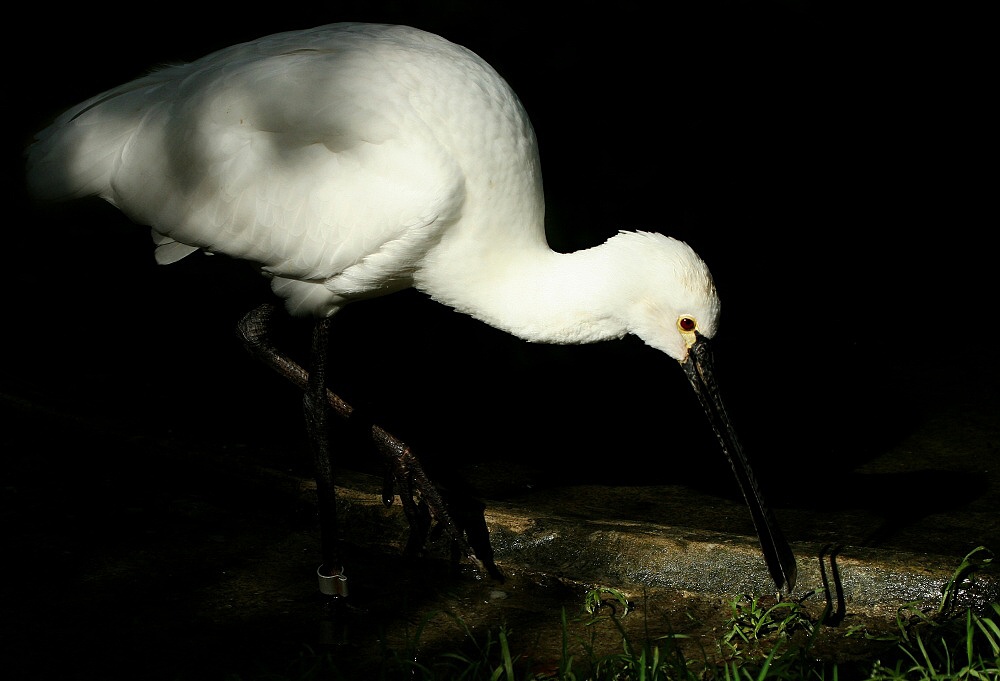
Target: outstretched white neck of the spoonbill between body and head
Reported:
[(537, 294)]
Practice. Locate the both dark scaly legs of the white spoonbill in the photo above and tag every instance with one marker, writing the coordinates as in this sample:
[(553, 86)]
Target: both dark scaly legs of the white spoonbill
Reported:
[(254, 330)]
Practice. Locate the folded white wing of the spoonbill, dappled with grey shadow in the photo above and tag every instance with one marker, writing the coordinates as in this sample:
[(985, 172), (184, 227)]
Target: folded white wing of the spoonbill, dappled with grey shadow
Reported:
[(303, 156)]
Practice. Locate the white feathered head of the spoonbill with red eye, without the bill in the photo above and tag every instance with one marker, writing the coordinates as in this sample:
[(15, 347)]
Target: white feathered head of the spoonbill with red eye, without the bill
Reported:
[(673, 298)]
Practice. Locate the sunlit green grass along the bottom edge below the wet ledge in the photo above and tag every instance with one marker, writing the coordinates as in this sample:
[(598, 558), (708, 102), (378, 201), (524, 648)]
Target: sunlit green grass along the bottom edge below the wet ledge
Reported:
[(760, 641)]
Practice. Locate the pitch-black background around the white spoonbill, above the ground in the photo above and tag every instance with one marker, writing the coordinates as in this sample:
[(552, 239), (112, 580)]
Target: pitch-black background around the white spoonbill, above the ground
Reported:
[(829, 164)]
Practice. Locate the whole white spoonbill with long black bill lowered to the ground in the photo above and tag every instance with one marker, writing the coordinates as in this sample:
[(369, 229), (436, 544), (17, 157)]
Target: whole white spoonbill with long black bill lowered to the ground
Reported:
[(353, 160)]
